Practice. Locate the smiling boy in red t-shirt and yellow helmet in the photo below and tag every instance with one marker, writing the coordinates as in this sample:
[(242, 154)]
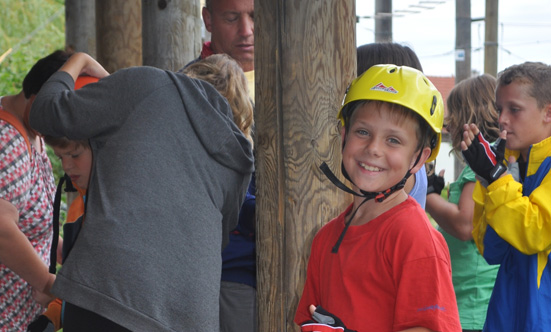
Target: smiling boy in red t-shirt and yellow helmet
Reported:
[(381, 265)]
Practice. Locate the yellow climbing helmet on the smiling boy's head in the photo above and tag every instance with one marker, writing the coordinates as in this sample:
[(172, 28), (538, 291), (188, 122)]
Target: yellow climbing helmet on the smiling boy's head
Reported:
[(404, 86)]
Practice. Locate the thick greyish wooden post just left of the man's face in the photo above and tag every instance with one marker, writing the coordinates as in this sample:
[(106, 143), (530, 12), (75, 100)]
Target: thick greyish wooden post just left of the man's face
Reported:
[(171, 33)]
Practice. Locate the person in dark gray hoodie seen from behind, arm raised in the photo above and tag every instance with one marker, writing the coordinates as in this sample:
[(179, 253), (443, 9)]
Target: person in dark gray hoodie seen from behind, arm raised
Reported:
[(168, 162)]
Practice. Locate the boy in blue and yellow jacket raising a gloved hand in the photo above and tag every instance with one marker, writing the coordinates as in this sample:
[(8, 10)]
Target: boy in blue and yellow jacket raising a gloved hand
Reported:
[(512, 218)]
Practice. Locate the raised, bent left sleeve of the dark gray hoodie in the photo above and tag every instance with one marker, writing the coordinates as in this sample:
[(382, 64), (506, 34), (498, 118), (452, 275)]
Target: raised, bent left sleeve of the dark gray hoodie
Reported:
[(96, 109)]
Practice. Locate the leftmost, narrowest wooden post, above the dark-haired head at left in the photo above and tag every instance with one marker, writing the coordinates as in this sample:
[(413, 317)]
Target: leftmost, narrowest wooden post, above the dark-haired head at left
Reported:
[(80, 26)]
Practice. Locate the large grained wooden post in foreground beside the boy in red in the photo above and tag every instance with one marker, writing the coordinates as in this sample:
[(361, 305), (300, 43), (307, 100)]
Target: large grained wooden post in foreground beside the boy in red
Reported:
[(305, 57)]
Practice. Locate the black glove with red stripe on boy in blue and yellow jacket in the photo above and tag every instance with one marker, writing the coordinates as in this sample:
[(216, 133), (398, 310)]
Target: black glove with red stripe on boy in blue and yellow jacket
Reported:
[(485, 160)]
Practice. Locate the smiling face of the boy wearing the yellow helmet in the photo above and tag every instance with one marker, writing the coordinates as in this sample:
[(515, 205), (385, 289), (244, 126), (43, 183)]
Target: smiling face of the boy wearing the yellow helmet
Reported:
[(380, 147)]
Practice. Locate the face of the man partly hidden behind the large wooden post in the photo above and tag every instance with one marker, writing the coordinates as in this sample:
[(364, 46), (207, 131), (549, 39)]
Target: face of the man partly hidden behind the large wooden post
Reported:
[(231, 24)]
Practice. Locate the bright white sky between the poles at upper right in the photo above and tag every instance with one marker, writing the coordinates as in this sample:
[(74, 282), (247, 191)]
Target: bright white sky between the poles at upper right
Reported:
[(524, 32)]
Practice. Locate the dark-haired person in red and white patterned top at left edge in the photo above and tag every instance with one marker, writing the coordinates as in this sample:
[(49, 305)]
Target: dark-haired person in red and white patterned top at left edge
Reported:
[(26, 199)]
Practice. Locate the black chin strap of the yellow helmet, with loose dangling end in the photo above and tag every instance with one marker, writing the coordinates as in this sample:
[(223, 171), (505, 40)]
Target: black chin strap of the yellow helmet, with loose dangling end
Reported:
[(367, 195)]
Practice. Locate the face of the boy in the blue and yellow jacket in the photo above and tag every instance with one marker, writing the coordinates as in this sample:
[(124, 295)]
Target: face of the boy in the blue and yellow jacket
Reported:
[(525, 122)]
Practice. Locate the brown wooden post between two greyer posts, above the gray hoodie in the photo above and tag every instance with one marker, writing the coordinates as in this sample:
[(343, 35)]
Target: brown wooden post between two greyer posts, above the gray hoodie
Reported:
[(119, 33)]
